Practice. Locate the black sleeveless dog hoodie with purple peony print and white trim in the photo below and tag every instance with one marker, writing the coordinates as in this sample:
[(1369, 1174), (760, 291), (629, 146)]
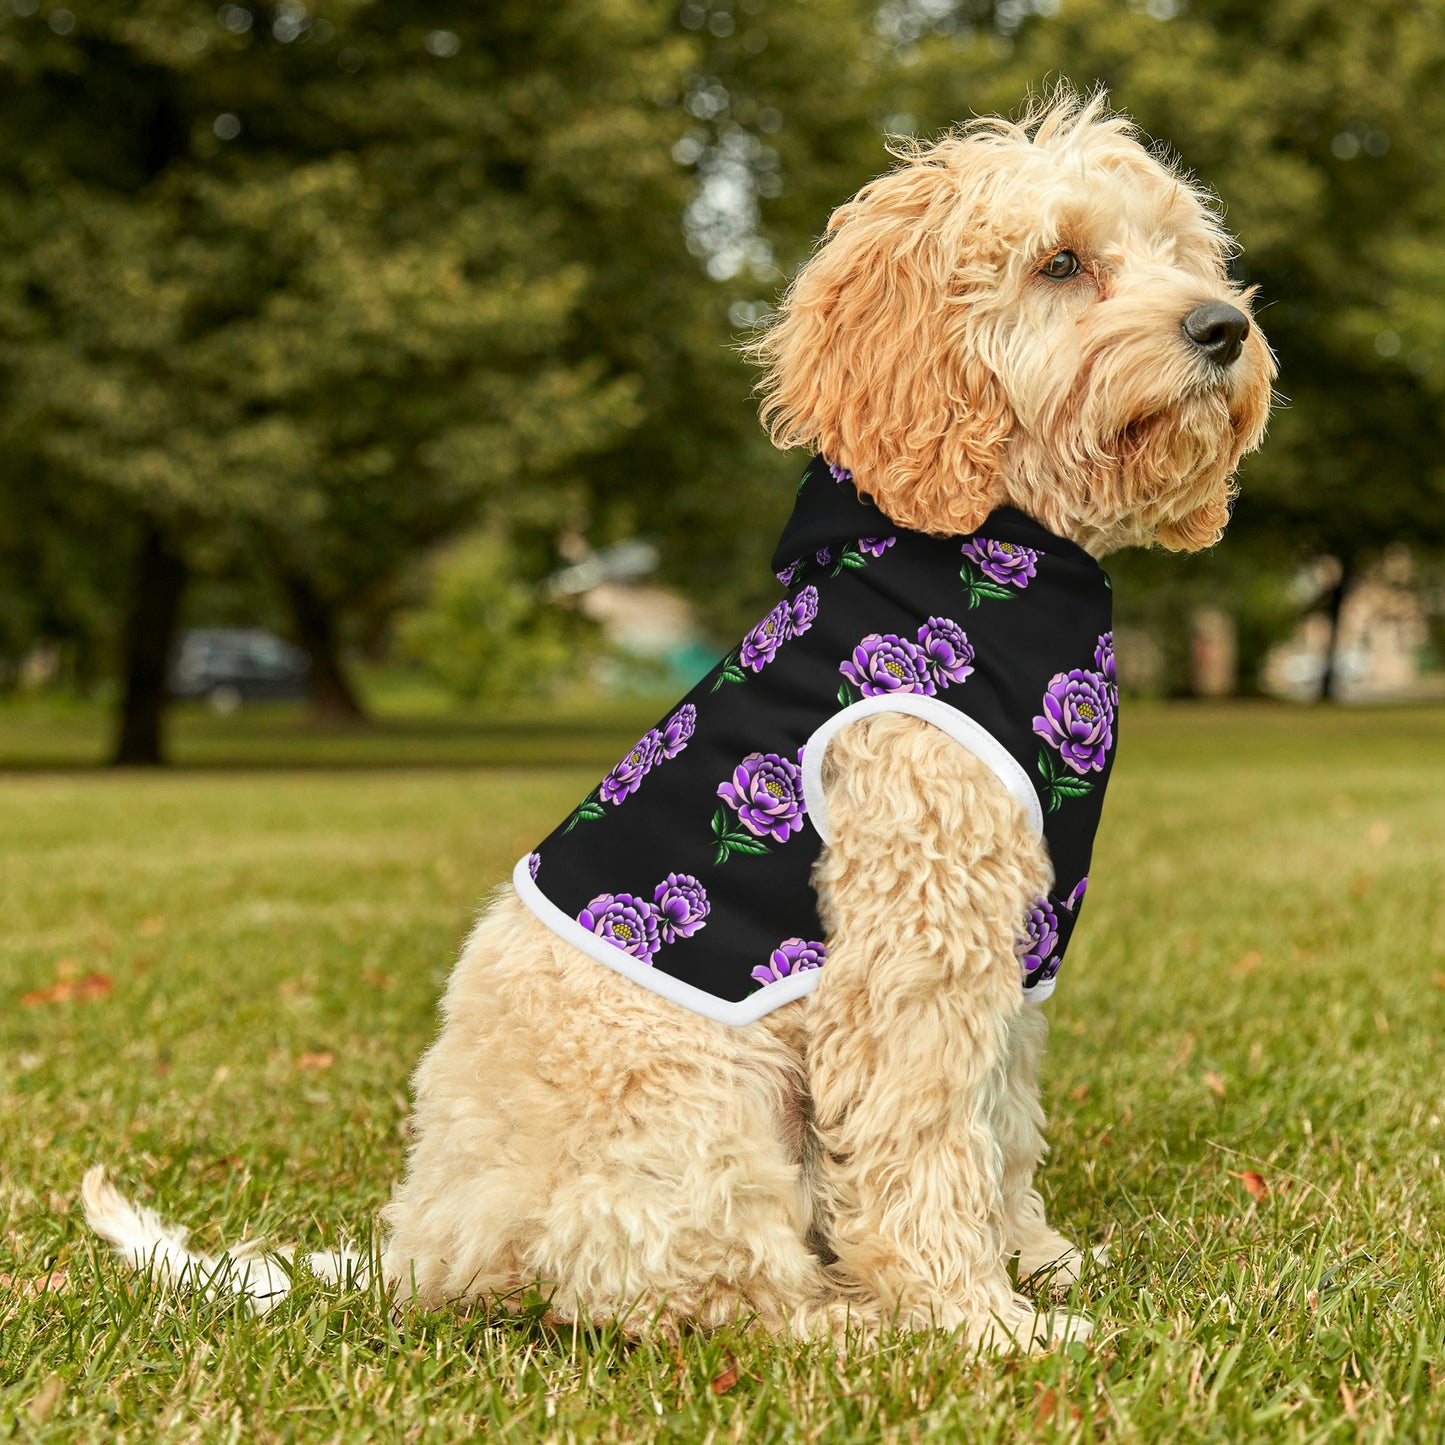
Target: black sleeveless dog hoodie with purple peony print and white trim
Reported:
[(689, 868)]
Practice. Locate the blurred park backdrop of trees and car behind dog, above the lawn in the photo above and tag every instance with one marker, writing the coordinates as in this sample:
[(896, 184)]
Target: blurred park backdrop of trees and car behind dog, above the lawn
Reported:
[(385, 352)]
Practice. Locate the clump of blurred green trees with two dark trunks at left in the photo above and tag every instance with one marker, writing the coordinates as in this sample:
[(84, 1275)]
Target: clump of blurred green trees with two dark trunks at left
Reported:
[(307, 284)]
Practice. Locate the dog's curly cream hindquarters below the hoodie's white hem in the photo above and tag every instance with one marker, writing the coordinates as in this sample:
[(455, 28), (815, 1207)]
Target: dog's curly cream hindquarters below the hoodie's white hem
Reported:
[(577, 1135)]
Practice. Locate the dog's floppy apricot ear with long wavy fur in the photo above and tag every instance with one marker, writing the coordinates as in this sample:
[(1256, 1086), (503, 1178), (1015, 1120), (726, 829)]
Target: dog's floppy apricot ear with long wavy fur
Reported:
[(875, 359)]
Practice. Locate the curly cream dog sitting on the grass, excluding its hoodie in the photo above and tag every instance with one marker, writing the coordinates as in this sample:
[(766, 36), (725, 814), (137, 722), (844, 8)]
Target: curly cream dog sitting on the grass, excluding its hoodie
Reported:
[(1001, 320)]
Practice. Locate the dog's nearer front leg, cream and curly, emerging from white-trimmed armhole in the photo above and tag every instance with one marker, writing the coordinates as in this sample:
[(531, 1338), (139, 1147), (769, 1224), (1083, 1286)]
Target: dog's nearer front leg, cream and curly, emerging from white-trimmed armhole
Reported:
[(923, 891)]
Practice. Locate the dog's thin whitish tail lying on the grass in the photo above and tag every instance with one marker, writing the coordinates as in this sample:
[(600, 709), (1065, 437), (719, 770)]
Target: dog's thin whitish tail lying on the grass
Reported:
[(145, 1242)]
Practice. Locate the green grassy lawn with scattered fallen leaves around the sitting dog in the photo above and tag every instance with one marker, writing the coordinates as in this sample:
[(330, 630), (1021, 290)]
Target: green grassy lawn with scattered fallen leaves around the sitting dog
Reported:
[(217, 980)]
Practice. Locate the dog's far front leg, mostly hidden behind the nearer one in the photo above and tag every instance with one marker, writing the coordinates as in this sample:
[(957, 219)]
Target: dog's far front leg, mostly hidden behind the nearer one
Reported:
[(1019, 1129)]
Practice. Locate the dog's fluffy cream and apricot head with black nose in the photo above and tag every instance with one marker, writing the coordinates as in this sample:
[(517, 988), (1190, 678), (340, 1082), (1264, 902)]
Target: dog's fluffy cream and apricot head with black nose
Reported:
[(1030, 313)]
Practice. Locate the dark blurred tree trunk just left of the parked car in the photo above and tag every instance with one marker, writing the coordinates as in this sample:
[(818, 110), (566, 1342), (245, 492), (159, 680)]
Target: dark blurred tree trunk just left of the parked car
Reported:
[(151, 626)]
